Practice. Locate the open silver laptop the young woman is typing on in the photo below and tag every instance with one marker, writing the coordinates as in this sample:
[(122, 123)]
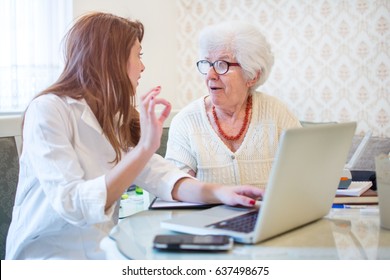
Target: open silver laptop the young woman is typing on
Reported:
[(301, 187)]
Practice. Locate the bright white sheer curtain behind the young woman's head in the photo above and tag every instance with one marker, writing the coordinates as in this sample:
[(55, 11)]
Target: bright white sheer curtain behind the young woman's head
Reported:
[(31, 56)]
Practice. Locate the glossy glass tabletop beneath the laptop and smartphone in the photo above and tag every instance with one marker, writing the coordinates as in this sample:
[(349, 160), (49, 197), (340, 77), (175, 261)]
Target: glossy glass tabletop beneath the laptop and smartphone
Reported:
[(342, 234)]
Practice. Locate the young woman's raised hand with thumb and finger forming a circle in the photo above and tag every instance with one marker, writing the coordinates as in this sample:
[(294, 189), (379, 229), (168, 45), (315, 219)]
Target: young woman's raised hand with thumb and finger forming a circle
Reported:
[(151, 124)]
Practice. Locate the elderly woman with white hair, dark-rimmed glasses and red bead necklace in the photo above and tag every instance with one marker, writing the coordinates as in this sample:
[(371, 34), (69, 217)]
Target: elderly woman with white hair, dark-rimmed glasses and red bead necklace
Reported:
[(230, 135)]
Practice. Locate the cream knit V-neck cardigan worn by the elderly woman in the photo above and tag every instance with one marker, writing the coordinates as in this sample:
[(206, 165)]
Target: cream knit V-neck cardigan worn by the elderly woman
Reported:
[(193, 143)]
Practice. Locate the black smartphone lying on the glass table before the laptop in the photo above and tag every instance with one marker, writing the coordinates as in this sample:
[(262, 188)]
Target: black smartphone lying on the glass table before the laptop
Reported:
[(193, 242)]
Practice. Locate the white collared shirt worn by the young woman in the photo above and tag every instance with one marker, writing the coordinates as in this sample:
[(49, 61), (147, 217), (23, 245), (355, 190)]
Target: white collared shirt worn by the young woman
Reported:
[(60, 200)]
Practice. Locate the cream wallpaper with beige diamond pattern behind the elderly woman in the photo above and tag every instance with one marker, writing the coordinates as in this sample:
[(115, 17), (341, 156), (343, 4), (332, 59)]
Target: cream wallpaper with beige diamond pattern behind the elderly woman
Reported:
[(332, 57)]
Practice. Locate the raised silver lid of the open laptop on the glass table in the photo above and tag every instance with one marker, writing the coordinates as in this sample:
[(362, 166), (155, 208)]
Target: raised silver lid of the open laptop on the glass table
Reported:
[(304, 177)]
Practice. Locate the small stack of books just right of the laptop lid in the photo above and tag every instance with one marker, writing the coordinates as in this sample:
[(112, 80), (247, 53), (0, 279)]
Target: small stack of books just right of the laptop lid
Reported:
[(359, 192)]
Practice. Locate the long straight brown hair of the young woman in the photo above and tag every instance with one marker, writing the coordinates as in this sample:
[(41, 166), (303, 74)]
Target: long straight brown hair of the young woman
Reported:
[(97, 50)]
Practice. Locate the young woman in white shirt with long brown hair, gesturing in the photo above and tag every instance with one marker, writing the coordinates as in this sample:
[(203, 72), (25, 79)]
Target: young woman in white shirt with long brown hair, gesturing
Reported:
[(84, 144)]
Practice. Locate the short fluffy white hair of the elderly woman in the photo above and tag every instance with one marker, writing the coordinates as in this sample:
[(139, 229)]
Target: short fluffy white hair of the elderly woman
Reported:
[(245, 42)]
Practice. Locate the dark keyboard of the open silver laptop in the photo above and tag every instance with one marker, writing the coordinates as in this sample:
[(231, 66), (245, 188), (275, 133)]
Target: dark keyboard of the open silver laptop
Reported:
[(244, 223)]
